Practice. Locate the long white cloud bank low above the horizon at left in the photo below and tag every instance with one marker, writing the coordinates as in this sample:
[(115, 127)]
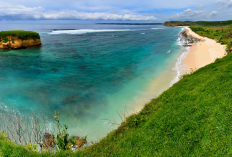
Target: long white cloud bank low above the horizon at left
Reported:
[(21, 12)]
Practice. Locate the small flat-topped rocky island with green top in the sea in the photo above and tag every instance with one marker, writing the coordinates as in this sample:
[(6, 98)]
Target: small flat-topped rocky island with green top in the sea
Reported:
[(16, 39)]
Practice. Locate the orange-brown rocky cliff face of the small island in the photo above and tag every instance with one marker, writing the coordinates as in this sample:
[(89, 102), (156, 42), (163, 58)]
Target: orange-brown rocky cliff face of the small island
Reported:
[(17, 43)]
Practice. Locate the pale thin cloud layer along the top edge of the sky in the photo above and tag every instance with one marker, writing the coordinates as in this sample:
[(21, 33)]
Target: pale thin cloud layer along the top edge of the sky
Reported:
[(100, 5)]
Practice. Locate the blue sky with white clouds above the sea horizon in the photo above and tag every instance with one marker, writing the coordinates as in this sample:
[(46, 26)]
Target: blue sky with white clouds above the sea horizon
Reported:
[(115, 10)]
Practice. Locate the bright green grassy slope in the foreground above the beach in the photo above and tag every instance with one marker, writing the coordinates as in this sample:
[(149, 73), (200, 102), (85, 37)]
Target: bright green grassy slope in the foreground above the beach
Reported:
[(192, 118)]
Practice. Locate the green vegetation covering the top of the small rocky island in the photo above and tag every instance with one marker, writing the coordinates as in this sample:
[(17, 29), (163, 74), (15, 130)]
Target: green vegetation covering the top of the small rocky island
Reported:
[(24, 35)]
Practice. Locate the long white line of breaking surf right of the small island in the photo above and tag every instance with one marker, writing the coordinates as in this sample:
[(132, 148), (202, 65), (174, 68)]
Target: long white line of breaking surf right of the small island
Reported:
[(84, 31)]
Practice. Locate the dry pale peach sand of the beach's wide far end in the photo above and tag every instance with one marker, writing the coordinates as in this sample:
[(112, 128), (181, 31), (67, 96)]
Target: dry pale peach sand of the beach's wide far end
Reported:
[(202, 53)]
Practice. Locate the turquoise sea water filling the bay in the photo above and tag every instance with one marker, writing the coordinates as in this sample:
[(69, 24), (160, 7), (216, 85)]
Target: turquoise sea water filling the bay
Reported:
[(89, 73)]
